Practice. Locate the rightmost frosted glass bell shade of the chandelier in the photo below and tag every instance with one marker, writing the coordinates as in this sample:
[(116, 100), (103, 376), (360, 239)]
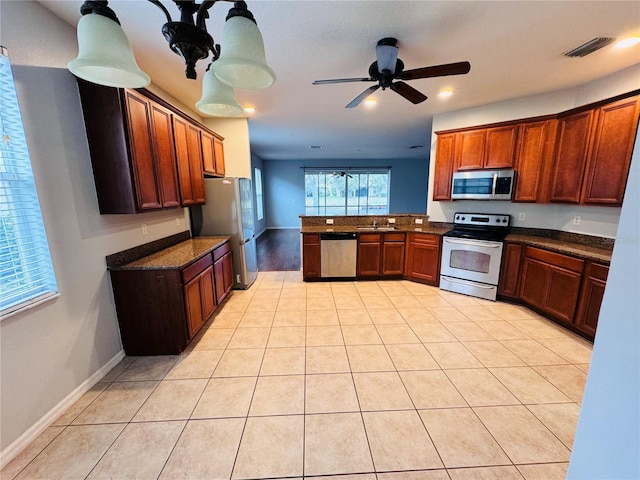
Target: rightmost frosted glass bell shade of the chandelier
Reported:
[(242, 62)]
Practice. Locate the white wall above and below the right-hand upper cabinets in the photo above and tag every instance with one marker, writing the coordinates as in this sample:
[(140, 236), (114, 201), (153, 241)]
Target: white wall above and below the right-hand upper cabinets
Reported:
[(601, 221)]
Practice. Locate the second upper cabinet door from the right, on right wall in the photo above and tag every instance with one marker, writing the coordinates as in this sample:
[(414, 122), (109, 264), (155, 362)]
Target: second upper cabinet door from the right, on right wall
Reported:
[(570, 157)]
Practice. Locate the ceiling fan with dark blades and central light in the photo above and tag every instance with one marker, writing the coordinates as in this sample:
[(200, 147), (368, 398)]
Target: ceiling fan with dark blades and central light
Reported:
[(388, 71)]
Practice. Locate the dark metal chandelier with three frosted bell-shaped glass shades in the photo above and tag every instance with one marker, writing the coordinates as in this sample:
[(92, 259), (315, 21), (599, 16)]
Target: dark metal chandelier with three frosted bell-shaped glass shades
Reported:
[(105, 56)]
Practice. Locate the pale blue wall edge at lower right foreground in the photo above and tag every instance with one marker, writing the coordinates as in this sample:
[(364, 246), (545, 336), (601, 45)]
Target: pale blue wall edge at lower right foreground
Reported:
[(607, 443)]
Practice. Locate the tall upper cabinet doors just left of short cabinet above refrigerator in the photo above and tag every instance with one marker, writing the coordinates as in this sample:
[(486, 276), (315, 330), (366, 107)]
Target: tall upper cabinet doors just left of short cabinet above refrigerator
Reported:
[(189, 156)]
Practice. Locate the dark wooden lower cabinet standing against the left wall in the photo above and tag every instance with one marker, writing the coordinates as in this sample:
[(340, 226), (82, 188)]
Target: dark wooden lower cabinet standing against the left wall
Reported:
[(160, 310)]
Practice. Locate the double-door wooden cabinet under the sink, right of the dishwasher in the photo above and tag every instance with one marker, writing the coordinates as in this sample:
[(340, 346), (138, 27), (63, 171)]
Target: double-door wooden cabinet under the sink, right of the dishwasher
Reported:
[(380, 255)]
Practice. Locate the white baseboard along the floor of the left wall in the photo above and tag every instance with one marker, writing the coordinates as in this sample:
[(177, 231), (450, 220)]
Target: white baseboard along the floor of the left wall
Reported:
[(41, 425)]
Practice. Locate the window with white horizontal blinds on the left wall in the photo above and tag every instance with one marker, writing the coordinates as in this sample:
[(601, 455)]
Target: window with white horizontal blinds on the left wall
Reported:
[(26, 271)]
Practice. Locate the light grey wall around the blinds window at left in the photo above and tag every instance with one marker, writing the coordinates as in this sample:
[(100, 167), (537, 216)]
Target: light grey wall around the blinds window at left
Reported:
[(50, 353)]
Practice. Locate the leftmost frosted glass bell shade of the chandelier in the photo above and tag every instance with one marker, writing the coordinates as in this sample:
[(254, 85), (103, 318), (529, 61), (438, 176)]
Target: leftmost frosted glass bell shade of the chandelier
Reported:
[(105, 56)]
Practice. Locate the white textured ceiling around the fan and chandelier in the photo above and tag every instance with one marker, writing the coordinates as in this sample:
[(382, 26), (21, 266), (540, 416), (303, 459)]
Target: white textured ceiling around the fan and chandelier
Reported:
[(514, 47)]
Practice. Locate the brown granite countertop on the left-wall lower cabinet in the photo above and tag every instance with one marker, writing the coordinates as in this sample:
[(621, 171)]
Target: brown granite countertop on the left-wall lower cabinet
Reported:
[(177, 256)]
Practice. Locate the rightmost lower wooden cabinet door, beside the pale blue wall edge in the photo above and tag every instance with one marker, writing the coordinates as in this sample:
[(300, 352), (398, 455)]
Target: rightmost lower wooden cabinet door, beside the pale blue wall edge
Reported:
[(591, 296)]
